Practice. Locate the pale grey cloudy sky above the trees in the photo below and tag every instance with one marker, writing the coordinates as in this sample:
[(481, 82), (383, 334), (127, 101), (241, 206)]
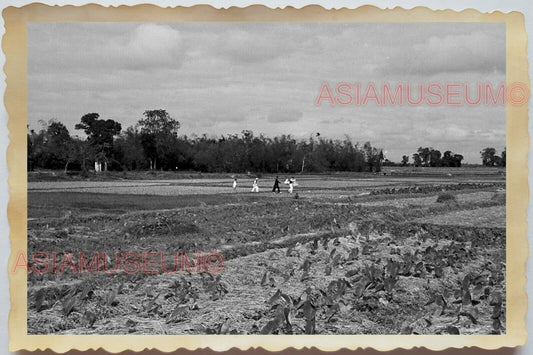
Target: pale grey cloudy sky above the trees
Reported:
[(221, 78)]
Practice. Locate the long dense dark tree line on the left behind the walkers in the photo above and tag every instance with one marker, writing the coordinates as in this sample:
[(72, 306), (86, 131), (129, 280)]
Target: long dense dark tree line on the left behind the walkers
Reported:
[(154, 144)]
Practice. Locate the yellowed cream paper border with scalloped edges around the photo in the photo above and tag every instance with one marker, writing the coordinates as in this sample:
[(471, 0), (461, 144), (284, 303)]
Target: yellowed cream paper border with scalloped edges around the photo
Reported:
[(14, 45)]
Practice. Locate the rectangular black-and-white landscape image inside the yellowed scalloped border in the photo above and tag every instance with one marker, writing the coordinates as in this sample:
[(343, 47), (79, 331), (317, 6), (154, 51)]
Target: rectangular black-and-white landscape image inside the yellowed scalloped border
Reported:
[(266, 178)]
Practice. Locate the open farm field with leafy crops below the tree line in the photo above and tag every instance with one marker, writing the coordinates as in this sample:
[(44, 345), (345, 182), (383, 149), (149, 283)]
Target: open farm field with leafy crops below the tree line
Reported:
[(367, 255)]
